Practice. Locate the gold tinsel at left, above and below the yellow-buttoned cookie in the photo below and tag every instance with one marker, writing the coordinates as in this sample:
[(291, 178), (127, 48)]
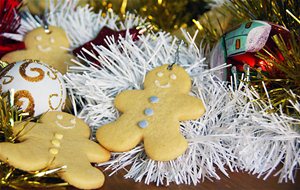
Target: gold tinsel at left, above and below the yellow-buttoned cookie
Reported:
[(10, 176)]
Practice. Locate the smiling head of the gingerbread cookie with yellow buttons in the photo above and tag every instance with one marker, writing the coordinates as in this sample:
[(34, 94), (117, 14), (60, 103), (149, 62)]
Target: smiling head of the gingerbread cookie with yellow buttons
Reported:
[(65, 121)]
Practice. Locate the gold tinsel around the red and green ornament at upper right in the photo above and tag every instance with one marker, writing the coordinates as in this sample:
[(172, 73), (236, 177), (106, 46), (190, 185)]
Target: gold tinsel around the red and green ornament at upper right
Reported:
[(282, 89)]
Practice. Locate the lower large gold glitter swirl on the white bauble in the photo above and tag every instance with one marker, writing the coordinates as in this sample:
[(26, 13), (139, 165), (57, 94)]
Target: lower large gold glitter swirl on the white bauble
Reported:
[(25, 94)]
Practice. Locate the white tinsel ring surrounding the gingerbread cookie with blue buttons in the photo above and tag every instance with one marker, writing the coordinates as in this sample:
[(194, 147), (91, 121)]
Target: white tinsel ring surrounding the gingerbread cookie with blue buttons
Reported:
[(125, 65)]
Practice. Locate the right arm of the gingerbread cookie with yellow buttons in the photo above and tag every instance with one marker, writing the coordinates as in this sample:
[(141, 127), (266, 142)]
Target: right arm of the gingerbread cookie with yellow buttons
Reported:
[(95, 152)]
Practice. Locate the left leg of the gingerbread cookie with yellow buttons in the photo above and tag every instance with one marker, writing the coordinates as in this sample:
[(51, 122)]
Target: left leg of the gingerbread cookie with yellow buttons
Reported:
[(22, 157)]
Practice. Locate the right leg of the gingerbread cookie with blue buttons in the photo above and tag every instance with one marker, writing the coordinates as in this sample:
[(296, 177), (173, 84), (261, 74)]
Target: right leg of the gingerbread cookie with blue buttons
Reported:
[(164, 145)]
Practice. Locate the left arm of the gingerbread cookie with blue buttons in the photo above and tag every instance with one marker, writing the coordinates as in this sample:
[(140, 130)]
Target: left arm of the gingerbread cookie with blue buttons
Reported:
[(126, 99)]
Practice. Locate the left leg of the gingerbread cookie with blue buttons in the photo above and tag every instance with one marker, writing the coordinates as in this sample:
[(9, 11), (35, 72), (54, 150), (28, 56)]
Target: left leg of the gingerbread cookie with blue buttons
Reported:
[(120, 136)]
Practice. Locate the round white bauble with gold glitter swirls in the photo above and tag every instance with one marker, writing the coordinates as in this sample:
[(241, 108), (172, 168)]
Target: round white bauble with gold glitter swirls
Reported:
[(38, 88)]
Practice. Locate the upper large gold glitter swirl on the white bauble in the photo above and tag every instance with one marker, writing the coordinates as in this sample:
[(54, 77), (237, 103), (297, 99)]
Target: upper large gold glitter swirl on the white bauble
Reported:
[(23, 68)]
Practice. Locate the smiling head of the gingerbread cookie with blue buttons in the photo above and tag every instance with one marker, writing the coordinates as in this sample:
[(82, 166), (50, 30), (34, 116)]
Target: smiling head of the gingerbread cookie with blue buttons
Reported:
[(171, 79)]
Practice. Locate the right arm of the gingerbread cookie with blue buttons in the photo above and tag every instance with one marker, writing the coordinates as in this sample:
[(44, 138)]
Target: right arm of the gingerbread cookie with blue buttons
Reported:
[(190, 107)]
